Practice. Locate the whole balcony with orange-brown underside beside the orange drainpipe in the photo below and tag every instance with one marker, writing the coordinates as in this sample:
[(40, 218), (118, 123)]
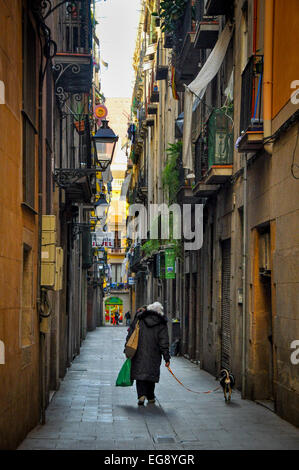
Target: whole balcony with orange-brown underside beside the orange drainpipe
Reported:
[(251, 121)]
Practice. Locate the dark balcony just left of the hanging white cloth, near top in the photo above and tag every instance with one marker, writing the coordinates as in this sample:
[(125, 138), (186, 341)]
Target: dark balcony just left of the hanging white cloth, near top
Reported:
[(187, 57)]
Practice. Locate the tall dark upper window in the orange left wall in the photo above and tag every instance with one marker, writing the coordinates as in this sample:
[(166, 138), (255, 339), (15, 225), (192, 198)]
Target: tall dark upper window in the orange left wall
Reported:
[(29, 111)]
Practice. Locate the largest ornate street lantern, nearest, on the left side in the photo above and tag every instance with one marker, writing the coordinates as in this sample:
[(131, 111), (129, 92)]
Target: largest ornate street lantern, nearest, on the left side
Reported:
[(104, 144)]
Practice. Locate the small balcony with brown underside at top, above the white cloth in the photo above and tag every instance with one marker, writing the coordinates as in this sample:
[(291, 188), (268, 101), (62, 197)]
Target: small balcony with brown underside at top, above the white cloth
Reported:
[(207, 29)]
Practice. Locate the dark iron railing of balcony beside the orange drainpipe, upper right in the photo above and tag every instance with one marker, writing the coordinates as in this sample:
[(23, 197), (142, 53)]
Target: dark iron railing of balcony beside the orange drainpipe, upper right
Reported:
[(252, 91)]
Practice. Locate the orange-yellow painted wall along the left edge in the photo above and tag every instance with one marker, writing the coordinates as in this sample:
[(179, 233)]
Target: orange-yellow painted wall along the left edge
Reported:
[(19, 377)]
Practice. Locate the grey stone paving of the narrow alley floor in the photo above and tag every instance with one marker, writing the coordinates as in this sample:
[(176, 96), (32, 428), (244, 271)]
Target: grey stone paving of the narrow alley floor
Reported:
[(89, 412)]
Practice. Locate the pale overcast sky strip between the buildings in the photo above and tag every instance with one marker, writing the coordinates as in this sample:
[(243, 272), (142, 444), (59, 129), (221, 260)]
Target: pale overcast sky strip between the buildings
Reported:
[(117, 29)]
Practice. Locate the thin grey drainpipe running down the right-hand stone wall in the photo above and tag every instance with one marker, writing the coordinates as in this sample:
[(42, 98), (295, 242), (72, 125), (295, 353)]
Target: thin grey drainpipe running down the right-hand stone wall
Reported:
[(244, 277)]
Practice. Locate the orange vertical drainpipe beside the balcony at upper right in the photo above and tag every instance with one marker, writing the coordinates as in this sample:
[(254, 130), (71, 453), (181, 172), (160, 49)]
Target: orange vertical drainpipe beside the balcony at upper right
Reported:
[(268, 71)]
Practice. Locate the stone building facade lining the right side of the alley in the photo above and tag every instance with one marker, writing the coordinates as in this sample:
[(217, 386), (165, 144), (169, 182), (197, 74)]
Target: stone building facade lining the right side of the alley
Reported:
[(236, 297)]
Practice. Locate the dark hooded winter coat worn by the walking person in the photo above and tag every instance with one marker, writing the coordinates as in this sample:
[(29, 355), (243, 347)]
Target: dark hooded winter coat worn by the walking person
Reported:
[(153, 343)]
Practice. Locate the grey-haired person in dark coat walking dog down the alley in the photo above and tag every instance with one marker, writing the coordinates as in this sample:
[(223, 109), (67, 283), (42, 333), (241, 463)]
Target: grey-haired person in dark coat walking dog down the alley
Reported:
[(152, 345)]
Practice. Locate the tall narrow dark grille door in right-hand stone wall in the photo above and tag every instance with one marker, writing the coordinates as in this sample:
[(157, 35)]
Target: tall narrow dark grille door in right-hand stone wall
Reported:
[(225, 305)]
